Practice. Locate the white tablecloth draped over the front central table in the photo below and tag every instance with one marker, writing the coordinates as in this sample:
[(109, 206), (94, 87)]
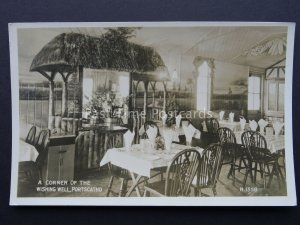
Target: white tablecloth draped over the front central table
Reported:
[(140, 162)]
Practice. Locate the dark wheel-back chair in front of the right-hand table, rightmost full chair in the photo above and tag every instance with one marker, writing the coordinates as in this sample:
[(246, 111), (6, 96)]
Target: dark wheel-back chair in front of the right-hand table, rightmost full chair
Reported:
[(258, 154)]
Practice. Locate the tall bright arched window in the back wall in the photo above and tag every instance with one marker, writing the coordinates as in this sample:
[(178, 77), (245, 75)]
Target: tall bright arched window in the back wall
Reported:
[(203, 87)]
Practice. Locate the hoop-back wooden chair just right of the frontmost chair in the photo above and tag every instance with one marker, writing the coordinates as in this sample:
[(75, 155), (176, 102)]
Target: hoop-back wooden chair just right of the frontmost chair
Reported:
[(209, 169)]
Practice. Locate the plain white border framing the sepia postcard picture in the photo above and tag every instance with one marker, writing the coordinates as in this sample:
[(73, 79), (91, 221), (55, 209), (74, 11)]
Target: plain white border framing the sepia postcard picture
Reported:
[(289, 200)]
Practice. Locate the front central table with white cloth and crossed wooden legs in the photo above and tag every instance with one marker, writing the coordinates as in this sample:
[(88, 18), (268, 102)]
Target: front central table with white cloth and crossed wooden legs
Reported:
[(139, 161)]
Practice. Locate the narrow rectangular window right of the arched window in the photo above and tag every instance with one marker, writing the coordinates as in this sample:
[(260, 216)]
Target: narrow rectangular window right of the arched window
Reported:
[(254, 93)]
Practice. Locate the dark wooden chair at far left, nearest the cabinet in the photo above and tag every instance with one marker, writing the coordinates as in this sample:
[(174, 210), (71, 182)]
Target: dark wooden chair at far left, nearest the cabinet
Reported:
[(30, 167)]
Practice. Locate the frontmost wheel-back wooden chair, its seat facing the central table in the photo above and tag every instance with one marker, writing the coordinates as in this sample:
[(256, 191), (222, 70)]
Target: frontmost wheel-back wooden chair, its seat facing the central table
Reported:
[(180, 174)]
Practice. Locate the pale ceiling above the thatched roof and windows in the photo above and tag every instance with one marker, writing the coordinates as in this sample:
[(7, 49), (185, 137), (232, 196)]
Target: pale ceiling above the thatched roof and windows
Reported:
[(226, 44)]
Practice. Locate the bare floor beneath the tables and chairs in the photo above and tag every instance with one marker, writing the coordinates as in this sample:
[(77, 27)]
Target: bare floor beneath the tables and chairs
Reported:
[(99, 181)]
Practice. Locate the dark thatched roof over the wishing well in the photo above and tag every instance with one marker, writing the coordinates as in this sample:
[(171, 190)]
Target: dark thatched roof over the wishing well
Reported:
[(69, 50)]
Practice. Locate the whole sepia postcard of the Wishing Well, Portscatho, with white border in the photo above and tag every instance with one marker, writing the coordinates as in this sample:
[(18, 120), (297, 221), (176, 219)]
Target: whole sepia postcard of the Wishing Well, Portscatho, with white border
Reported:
[(152, 113)]
